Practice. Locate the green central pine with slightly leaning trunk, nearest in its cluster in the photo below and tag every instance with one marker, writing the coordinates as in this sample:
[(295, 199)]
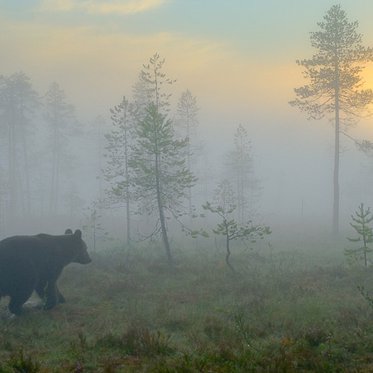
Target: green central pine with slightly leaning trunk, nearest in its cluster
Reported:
[(161, 178)]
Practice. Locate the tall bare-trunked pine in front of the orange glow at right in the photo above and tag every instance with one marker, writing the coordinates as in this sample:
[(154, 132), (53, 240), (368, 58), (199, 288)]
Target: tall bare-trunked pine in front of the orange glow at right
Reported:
[(335, 83)]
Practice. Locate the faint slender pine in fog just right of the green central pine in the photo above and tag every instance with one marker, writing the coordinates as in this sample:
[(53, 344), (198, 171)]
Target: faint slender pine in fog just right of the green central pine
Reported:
[(187, 110)]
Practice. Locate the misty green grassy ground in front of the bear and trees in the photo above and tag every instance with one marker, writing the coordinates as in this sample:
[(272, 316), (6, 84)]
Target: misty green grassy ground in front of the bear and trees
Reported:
[(288, 308)]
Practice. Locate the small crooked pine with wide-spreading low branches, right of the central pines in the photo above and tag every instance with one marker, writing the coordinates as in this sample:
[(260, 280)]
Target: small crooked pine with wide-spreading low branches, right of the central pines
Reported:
[(229, 228)]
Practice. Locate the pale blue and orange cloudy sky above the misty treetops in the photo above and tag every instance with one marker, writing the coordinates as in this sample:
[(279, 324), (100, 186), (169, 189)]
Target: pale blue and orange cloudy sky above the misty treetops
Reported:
[(249, 47)]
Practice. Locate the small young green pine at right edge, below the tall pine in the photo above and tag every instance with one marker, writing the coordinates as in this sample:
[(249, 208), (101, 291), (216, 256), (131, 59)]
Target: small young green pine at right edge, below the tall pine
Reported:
[(361, 221)]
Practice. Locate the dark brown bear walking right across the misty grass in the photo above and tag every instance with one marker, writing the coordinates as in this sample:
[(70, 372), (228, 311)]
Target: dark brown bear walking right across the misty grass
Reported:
[(34, 263)]
